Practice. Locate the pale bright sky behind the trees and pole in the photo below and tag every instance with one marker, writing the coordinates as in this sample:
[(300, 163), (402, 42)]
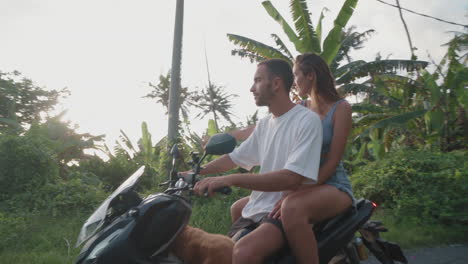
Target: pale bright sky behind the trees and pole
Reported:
[(106, 52)]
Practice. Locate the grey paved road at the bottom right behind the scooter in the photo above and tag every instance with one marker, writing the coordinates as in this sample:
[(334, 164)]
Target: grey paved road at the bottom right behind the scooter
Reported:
[(453, 254)]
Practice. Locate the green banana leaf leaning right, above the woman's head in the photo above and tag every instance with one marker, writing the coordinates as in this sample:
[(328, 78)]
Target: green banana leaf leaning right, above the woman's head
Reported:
[(332, 42)]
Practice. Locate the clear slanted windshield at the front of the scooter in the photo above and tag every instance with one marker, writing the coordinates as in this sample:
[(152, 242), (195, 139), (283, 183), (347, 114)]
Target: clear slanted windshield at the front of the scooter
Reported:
[(96, 220)]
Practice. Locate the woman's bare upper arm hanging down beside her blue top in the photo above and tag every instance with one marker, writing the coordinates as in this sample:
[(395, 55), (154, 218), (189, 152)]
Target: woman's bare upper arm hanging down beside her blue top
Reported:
[(342, 123)]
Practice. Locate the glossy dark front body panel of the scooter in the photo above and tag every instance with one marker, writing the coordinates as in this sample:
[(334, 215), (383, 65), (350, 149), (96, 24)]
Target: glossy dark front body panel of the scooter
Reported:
[(142, 232)]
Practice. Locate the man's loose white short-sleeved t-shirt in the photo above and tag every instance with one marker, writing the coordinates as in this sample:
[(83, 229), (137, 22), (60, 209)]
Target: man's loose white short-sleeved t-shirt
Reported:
[(291, 141)]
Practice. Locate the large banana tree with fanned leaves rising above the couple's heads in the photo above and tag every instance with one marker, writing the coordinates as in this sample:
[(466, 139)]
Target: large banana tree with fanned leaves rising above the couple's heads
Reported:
[(334, 49)]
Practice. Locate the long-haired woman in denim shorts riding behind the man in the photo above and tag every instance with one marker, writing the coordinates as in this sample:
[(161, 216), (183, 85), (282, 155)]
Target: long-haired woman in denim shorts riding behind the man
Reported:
[(332, 193)]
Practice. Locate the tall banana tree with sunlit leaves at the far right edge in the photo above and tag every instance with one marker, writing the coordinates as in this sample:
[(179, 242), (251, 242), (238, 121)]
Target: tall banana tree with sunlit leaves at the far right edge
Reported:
[(446, 96)]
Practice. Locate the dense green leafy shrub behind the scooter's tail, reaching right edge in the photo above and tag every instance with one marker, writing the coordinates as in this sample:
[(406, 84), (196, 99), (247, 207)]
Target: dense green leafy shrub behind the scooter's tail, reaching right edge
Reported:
[(425, 185)]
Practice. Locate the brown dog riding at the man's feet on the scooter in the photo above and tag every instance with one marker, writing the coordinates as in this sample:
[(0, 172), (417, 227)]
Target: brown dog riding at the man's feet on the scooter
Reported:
[(195, 246)]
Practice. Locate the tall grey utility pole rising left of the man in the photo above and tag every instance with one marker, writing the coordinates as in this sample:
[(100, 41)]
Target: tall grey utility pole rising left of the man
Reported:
[(174, 92)]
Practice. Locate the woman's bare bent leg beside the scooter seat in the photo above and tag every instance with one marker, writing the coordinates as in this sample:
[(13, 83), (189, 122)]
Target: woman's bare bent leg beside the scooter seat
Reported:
[(310, 206)]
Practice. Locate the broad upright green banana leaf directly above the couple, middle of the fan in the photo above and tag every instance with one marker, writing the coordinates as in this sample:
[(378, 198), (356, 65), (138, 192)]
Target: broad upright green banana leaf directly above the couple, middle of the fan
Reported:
[(305, 30)]
